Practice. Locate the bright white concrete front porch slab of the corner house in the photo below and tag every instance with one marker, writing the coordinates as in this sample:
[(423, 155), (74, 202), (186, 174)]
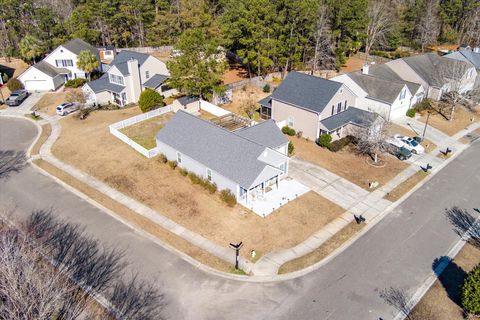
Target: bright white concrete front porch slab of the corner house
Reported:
[(265, 199)]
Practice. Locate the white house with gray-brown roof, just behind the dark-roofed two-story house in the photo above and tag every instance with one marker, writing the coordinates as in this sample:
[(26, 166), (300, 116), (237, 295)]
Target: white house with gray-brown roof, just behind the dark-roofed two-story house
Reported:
[(389, 98)]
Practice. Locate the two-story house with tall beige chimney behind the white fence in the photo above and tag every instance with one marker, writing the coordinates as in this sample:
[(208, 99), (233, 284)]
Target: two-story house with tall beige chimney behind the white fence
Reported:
[(127, 76)]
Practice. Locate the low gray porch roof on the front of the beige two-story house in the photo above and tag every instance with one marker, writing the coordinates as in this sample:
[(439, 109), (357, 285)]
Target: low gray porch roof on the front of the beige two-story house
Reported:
[(361, 118)]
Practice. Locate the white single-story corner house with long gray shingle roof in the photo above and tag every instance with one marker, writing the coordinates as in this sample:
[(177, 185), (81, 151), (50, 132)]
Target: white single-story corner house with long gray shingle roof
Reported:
[(246, 162)]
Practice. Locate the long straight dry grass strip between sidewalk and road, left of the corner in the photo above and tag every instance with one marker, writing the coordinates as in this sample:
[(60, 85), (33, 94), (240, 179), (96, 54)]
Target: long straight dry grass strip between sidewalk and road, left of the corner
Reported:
[(137, 220)]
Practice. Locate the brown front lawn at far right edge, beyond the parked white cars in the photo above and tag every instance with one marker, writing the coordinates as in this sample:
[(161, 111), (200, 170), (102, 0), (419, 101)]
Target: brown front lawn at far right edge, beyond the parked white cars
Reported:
[(462, 118)]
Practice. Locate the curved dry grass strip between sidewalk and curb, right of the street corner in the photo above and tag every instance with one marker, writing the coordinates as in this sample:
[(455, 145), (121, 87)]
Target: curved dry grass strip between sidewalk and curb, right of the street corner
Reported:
[(324, 250)]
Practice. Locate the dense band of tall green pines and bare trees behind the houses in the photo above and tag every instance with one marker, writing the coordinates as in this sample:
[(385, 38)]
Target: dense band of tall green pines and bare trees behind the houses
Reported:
[(270, 35)]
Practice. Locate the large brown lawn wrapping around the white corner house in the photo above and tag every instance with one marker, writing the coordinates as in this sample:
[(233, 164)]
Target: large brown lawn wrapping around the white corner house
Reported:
[(88, 145)]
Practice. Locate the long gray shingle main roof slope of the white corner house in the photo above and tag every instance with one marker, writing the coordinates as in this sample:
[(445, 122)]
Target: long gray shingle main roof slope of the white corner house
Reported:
[(224, 152)]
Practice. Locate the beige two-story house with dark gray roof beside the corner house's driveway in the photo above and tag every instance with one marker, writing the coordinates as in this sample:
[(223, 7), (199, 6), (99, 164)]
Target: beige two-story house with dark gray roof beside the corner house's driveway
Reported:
[(306, 102)]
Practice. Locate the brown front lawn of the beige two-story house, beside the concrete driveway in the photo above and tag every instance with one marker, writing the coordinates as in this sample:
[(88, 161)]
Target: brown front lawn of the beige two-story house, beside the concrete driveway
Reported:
[(347, 164)]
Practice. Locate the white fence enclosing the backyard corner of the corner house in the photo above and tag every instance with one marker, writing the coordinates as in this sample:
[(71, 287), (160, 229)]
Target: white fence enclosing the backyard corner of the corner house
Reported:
[(114, 129)]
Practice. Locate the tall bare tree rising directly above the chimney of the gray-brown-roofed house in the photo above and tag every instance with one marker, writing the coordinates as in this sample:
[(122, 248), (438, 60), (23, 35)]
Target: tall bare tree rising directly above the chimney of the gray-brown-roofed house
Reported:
[(379, 24)]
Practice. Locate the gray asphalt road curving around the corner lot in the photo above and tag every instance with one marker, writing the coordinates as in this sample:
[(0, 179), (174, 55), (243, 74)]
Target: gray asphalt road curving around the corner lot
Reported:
[(397, 252)]
